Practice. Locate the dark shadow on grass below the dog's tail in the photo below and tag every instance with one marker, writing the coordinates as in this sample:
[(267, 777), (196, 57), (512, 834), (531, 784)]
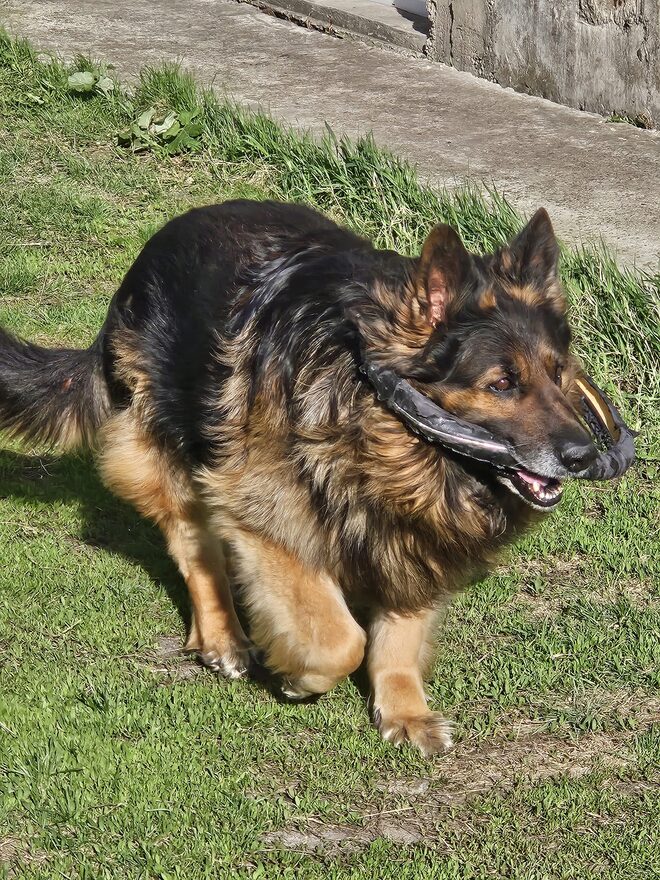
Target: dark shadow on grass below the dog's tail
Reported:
[(107, 521)]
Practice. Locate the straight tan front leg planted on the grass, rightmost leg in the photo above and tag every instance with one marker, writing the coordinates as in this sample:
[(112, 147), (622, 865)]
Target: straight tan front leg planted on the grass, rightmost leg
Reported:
[(398, 651)]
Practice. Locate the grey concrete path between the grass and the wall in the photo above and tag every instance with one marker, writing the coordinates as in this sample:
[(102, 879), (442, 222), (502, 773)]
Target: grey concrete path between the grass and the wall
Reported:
[(597, 180)]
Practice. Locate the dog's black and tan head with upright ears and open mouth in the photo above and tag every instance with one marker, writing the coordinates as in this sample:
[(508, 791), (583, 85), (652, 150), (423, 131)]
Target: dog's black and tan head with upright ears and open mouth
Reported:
[(497, 352)]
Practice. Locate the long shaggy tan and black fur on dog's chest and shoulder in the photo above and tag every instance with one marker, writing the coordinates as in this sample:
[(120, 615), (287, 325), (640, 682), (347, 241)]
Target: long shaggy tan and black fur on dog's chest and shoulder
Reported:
[(397, 523)]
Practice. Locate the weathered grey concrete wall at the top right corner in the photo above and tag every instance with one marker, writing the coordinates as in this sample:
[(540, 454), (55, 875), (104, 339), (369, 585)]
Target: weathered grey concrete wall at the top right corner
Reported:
[(600, 55)]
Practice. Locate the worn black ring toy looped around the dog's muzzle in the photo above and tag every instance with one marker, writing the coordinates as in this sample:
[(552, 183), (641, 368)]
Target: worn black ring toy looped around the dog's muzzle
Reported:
[(430, 421)]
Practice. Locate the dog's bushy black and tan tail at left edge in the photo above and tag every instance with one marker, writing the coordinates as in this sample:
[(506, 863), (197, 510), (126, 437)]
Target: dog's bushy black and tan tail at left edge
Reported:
[(56, 396)]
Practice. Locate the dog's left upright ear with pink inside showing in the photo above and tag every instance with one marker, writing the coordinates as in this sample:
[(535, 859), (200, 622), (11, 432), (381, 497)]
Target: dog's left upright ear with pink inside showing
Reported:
[(445, 269)]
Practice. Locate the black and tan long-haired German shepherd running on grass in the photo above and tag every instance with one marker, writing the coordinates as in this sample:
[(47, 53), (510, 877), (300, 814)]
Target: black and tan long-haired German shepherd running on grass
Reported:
[(224, 399)]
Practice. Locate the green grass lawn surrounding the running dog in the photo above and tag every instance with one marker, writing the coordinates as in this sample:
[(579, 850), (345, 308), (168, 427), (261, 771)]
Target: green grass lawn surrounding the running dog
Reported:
[(121, 759)]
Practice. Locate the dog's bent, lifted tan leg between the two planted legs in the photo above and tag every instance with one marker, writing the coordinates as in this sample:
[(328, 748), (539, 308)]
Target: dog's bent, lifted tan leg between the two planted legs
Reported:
[(298, 618)]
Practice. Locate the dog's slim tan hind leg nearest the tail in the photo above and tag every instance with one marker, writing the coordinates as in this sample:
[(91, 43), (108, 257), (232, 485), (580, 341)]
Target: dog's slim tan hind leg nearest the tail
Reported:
[(137, 470)]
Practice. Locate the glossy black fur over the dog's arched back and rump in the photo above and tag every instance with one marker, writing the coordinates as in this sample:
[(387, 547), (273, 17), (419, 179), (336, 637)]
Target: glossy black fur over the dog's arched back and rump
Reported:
[(171, 312)]
